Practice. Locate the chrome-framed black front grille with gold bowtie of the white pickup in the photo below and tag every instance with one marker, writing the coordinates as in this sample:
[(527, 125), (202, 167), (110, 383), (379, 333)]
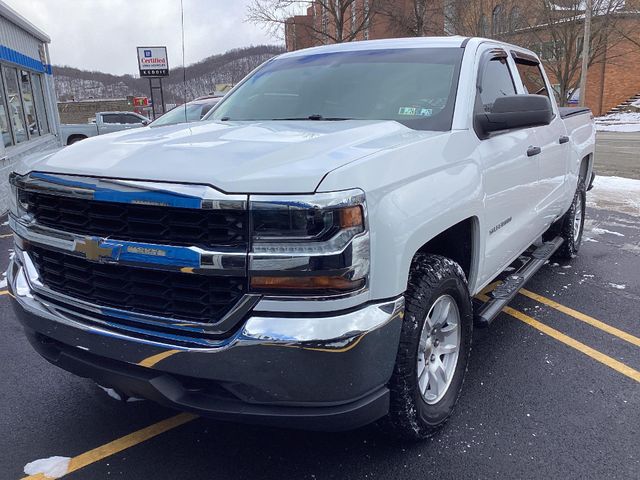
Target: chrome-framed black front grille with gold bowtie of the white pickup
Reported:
[(153, 257)]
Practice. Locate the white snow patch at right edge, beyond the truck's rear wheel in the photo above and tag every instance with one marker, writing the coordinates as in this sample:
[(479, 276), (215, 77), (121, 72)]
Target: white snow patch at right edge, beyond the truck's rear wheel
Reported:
[(615, 193)]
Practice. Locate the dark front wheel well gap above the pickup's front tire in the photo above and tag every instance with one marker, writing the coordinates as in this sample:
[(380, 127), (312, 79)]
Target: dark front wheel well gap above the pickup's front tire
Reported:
[(455, 243)]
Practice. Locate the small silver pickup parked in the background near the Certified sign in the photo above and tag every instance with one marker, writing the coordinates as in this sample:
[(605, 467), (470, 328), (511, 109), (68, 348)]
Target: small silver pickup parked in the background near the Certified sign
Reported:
[(105, 122)]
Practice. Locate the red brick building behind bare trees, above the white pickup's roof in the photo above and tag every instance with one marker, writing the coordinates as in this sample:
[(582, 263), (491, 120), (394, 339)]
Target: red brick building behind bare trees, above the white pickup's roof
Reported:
[(555, 33)]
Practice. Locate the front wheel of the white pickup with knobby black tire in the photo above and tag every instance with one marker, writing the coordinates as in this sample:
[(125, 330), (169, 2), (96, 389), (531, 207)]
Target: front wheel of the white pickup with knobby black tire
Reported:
[(434, 282)]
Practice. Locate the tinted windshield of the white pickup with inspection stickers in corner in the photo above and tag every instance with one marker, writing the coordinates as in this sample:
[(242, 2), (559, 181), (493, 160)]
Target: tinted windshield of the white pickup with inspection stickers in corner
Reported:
[(413, 86)]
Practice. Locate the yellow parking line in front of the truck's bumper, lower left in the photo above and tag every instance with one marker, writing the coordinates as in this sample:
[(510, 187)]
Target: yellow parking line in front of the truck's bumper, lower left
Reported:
[(121, 444)]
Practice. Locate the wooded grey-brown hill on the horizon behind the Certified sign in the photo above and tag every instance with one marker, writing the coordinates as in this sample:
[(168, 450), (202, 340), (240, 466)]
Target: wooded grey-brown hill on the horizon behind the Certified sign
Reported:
[(230, 67)]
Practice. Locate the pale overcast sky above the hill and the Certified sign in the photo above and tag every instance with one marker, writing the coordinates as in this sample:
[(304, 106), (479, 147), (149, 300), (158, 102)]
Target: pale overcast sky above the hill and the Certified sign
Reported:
[(103, 34)]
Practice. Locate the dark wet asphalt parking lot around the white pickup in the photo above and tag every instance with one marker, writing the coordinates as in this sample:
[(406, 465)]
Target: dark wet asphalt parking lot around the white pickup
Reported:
[(553, 391)]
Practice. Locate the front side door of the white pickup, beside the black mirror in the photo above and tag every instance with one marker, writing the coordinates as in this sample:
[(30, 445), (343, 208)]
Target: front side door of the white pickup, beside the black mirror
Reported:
[(510, 175)]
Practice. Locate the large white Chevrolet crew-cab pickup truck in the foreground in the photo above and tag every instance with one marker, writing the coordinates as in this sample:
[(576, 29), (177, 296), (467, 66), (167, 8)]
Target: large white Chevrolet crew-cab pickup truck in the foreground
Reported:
[(309, 254)]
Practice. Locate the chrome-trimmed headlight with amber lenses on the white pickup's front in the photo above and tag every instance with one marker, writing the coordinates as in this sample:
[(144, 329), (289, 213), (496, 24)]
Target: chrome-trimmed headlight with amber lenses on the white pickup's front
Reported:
[(313, 245)]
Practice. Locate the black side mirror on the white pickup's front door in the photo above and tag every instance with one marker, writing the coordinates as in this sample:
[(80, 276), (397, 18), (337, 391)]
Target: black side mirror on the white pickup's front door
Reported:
[(515, 111)]
